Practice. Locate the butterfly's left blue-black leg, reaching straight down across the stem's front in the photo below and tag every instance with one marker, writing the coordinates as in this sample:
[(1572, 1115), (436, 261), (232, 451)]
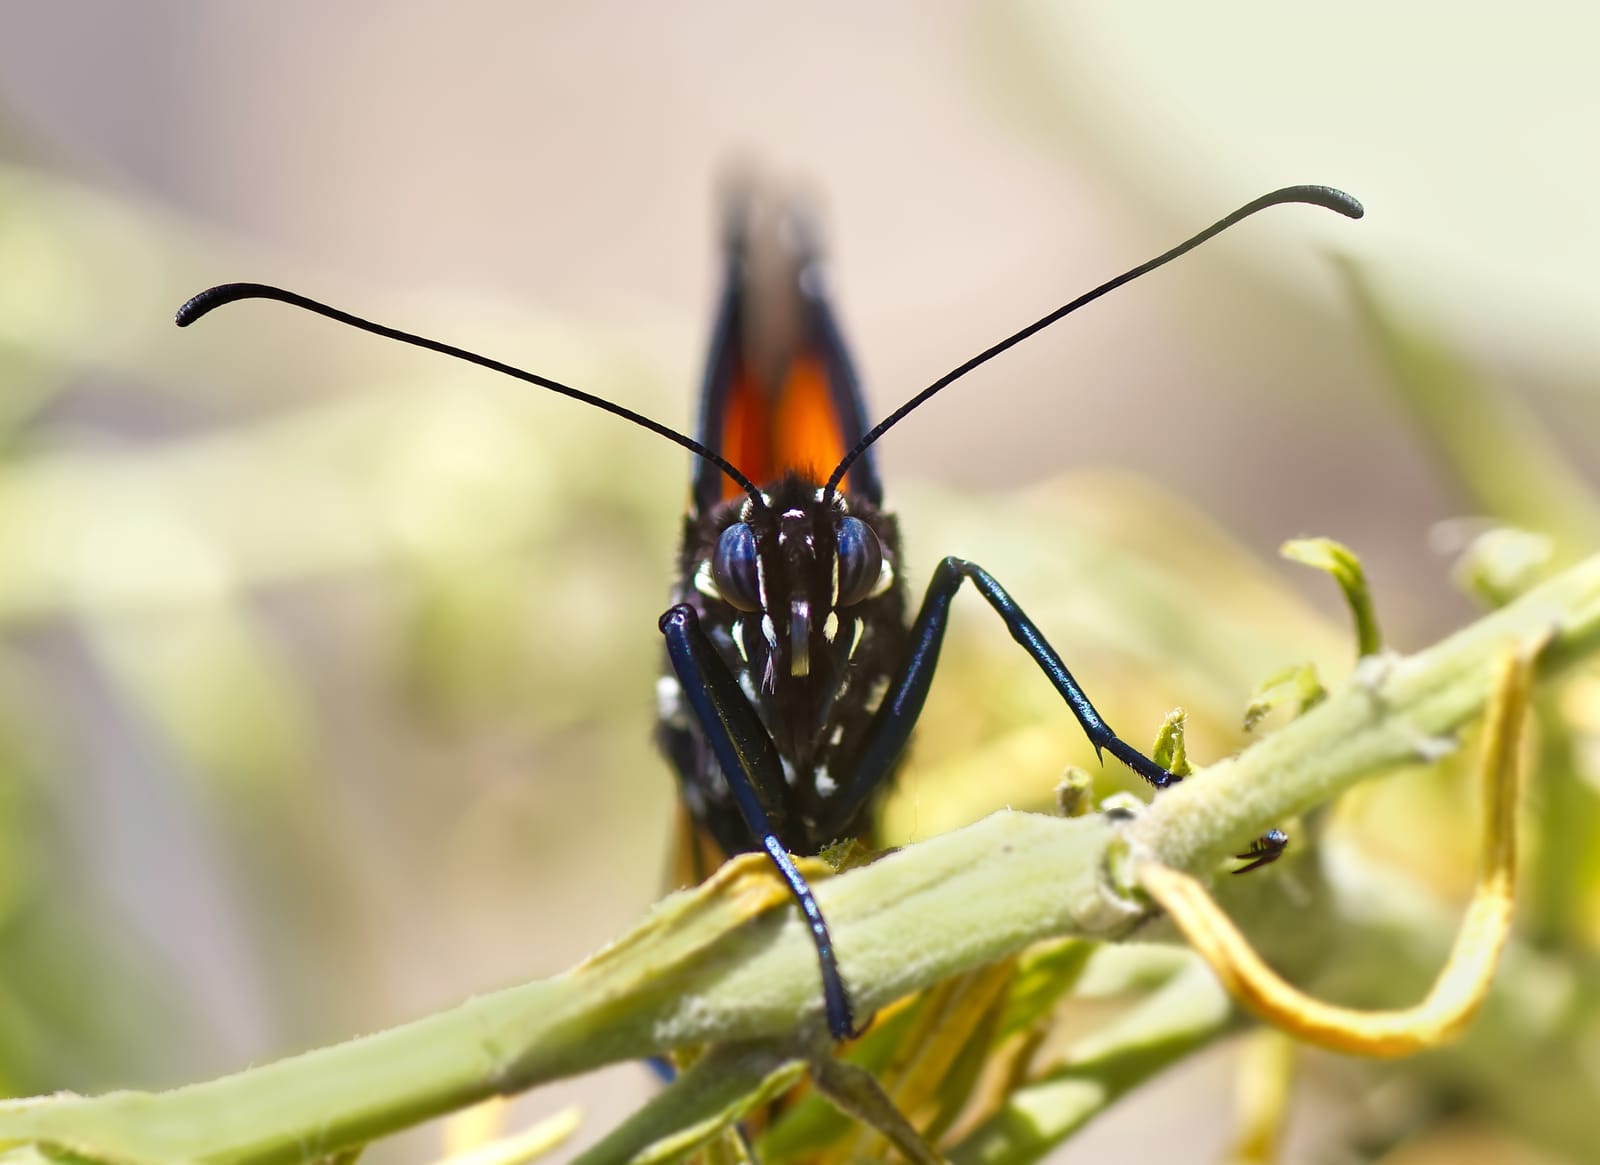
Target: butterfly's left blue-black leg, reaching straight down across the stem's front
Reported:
[(751, 766)]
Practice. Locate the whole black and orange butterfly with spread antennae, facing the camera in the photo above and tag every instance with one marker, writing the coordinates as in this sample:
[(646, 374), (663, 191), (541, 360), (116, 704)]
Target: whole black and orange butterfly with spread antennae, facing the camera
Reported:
[(796, 670)]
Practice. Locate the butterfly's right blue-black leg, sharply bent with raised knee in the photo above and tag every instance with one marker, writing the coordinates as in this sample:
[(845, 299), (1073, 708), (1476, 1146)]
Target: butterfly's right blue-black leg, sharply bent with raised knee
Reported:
[(906, 695)]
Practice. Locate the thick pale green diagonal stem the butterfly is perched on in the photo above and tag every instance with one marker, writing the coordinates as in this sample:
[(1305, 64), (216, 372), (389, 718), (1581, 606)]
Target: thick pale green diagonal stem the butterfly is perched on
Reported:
[(719, 964)]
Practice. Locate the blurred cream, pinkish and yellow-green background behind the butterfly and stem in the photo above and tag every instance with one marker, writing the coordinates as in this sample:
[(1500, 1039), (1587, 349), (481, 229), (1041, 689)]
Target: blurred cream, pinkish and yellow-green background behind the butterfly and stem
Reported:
[(329, 667)]
